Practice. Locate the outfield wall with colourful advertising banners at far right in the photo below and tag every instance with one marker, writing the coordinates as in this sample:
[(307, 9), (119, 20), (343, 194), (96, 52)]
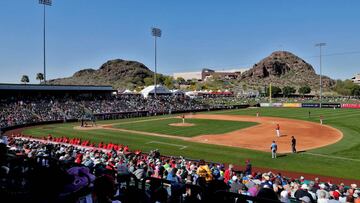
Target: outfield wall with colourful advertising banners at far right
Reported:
[(311, 105)]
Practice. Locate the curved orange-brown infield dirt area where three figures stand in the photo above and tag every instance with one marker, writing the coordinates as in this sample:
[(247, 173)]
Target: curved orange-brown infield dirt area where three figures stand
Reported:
[(309, 135)]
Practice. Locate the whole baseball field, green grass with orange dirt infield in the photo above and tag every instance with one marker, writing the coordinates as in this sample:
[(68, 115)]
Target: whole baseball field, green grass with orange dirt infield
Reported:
[(232, 136)]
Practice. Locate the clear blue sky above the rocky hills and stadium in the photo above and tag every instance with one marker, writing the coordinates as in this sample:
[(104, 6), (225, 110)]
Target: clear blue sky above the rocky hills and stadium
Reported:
[(196, 34)]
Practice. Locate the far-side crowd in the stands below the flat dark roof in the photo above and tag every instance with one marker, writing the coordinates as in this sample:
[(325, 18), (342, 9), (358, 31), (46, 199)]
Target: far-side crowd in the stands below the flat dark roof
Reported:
[(32, 109)]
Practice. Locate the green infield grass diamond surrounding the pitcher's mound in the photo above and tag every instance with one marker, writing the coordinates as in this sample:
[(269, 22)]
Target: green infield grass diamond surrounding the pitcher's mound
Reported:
[(201, 126)]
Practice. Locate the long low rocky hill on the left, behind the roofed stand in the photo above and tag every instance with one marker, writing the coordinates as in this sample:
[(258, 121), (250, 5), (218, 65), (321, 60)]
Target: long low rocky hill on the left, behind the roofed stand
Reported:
[(117, 73)]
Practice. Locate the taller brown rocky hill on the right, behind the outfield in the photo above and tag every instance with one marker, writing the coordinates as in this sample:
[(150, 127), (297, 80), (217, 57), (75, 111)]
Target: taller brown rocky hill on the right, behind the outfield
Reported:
[(283, 68)]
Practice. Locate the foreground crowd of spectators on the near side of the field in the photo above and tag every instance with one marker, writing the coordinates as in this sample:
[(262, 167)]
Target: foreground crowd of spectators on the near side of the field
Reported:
[(99, 172)]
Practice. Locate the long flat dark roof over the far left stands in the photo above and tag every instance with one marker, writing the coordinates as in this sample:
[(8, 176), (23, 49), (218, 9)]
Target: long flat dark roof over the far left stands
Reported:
[(34, 87)]
